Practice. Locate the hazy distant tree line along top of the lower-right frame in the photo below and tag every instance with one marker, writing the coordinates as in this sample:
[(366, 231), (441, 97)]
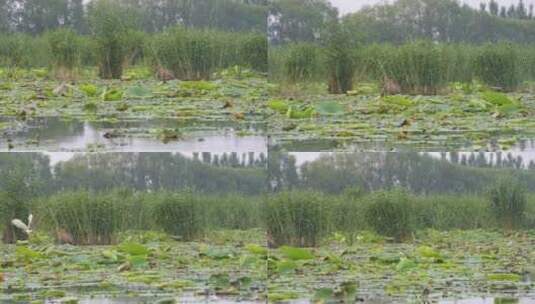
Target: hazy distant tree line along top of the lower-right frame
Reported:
[(420, 173)]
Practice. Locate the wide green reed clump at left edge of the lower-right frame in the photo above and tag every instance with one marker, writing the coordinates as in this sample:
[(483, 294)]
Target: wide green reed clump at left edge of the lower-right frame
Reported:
[(296, 218)]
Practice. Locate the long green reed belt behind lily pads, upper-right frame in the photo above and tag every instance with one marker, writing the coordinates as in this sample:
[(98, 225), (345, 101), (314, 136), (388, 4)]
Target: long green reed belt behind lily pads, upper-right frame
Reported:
[(419, 67)]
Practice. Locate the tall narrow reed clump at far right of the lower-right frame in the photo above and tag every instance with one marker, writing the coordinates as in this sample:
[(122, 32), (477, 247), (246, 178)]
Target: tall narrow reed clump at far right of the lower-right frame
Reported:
[(508, 202)]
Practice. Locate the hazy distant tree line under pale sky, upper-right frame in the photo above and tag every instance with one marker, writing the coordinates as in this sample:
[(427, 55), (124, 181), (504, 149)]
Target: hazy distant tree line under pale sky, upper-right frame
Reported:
[(402, 21)]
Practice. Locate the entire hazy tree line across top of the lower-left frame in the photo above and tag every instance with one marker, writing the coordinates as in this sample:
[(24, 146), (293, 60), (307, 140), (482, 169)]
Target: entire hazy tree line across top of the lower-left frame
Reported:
[(141, 171)]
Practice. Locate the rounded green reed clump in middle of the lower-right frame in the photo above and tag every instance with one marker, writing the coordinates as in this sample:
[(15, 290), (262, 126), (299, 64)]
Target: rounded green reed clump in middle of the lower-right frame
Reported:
[(389, 214)]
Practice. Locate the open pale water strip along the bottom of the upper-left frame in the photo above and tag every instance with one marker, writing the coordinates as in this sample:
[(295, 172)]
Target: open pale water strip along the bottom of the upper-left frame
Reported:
[(56, 135)]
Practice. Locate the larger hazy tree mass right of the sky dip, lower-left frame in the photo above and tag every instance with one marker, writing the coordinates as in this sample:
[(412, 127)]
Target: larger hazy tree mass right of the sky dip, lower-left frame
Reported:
[(150, 171)]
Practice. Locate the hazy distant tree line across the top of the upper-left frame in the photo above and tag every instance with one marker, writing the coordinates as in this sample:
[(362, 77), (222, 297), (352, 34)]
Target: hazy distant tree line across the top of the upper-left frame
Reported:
[(37, 16)]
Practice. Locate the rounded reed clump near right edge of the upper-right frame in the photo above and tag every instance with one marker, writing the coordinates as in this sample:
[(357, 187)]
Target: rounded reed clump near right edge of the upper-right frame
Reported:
[(497, 66)]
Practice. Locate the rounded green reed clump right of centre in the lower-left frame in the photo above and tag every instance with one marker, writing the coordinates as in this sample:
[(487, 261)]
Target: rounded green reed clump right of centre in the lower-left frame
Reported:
[(181, 214)]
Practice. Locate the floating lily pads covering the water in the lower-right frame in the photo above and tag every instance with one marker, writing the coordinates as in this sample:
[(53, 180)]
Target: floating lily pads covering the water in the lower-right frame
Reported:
[(448, 265)]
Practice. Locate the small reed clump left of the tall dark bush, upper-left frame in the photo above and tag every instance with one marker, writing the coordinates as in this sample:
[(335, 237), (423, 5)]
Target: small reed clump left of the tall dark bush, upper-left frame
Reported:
[(65, 47)]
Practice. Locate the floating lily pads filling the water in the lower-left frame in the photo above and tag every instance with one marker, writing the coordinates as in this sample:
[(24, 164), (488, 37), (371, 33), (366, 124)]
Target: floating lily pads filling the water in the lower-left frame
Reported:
[(161, 268)]
